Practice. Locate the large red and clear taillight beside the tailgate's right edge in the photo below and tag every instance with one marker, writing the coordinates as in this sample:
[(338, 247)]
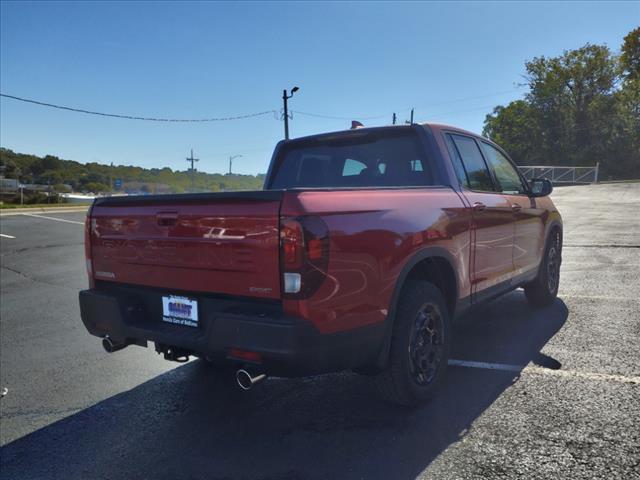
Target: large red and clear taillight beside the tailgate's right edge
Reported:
[(304, 254)]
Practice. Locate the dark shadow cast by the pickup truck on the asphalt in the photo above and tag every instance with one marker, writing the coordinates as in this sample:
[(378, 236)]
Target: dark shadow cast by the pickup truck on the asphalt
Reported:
[(189, 424)]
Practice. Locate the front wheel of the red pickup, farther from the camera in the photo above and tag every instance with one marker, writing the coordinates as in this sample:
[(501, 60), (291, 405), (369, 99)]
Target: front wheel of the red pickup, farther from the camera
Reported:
[(544, 289)]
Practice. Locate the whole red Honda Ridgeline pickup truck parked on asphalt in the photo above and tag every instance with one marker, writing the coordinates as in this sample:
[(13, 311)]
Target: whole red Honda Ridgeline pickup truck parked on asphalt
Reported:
[(359, 252)]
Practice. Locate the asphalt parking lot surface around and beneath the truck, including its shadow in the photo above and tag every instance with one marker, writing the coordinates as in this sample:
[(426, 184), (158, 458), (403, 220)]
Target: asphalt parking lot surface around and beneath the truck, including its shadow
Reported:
[(550, 393)]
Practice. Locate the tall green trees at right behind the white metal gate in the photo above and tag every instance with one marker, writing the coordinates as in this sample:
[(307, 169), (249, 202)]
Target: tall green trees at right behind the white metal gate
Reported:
[(582, 107)]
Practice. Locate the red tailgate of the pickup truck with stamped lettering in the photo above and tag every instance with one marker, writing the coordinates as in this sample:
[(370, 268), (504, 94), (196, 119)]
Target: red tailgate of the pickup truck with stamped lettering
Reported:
[(223, 243)]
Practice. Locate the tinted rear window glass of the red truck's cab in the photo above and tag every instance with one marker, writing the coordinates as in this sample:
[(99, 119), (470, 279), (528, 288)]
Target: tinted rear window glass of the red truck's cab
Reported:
[(374, 159)]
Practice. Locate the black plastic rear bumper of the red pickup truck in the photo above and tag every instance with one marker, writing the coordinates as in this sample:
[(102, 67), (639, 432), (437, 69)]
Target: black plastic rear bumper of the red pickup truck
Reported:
[(288, 346)]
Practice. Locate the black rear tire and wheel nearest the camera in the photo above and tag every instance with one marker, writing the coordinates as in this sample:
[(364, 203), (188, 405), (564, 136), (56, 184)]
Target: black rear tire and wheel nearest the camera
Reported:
[(420, 344)]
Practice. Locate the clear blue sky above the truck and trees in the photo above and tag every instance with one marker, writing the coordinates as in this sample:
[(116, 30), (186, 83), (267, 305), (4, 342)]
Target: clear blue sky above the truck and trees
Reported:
[(453, 62)]
